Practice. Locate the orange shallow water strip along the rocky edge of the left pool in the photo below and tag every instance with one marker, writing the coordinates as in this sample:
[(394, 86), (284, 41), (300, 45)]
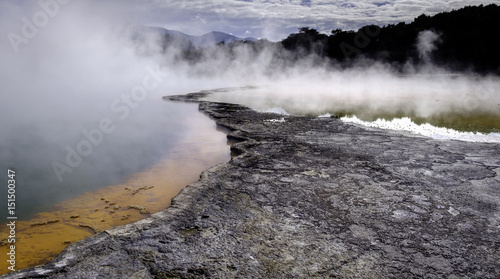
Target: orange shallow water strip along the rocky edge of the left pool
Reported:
[(197, 146)]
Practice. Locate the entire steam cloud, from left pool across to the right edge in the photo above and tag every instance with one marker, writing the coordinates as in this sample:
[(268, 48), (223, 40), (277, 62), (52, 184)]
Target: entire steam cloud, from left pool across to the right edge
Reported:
[(66, 78)]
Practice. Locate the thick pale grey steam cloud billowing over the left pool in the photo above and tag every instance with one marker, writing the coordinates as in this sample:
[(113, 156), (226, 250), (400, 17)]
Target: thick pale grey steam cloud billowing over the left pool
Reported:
[(62, 77)]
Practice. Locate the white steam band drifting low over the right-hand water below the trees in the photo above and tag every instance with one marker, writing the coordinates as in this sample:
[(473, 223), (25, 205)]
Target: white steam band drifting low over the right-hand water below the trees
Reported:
[(374, 90)]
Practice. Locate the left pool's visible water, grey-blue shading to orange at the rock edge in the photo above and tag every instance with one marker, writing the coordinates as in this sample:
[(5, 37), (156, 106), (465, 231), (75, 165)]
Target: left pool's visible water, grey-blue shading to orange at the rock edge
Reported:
[(140, 174)]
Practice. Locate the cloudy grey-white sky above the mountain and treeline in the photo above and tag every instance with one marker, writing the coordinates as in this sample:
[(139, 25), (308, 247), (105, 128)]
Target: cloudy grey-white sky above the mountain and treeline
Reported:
[(275, 19)]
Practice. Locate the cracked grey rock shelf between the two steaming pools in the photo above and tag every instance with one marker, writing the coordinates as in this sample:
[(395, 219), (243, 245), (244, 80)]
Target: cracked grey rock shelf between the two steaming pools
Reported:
[(312, 197)]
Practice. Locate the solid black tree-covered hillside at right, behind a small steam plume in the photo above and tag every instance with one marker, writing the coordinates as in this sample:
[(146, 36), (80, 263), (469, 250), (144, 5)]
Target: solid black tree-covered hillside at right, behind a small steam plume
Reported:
[(468, 40)]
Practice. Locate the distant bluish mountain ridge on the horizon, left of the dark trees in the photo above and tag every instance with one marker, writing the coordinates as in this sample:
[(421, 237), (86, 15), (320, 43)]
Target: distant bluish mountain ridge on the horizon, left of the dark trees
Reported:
[(211, 38)]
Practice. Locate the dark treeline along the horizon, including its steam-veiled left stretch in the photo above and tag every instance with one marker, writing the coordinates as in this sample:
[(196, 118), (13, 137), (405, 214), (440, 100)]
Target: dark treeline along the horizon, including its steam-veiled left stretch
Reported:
[(464, 40)]
